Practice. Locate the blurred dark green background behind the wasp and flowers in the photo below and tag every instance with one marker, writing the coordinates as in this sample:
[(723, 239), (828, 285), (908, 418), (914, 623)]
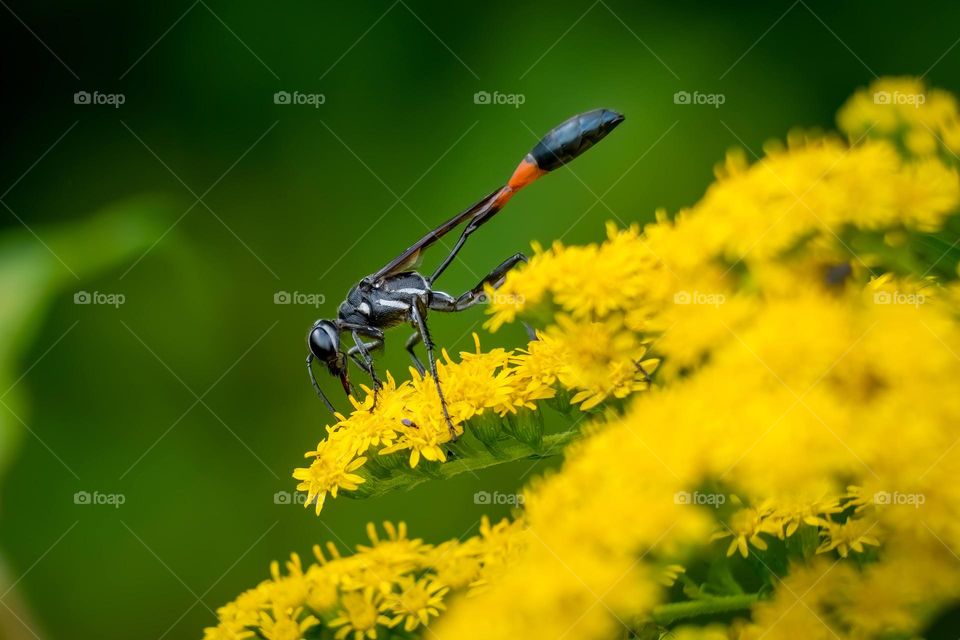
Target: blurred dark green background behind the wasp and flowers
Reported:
[(190, 399)]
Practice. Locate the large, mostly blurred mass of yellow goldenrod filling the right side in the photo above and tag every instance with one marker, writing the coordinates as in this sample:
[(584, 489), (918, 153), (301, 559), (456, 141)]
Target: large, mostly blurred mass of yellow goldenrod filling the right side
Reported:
[(807, 427)]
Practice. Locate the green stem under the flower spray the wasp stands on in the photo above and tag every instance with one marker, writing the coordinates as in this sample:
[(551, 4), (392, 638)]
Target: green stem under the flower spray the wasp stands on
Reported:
[(507, 450)]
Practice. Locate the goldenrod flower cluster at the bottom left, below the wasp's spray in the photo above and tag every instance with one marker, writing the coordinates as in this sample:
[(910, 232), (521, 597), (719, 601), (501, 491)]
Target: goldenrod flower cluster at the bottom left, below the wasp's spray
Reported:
[(395, 584)]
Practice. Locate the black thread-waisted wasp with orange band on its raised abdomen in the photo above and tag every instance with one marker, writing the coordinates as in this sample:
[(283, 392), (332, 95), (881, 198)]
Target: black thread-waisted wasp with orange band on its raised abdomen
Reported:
[(398, 294)]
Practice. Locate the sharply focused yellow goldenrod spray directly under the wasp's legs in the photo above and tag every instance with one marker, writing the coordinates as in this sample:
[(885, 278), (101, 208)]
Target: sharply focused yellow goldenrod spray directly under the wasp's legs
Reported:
[(590, 359)]
